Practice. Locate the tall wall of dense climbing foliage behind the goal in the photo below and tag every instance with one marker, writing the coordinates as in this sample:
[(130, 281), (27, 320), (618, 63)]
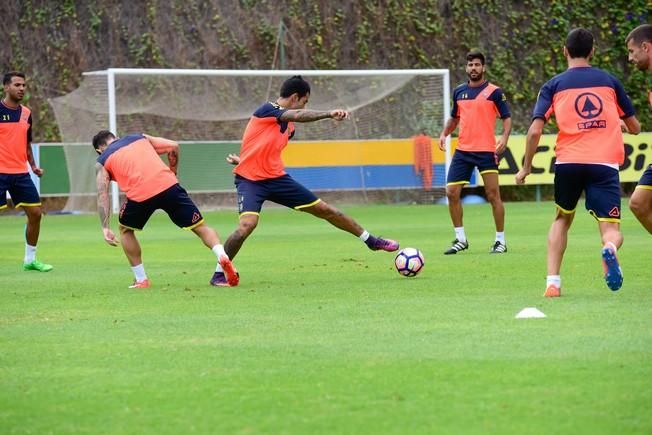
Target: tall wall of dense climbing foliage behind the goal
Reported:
[(54, 42)]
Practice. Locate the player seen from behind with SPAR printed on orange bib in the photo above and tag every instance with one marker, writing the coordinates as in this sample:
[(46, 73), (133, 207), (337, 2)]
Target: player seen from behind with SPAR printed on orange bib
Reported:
[(588, 105)]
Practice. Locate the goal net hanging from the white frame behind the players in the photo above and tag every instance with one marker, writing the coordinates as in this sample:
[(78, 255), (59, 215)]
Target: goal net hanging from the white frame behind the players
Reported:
[(207, 111)]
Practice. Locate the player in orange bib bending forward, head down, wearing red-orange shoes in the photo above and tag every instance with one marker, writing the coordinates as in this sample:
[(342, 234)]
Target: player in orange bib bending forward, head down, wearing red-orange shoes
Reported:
[(133, 162)]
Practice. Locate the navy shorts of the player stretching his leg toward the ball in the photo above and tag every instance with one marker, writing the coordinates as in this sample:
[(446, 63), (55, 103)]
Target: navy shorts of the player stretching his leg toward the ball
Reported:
[(282, 190)]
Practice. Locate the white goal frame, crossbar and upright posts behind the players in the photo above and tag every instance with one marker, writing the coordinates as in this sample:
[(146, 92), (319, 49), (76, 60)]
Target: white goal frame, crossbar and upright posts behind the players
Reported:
[(111, 74)]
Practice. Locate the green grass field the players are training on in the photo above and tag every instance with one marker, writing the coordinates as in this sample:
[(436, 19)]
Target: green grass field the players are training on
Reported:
[(322, 335)]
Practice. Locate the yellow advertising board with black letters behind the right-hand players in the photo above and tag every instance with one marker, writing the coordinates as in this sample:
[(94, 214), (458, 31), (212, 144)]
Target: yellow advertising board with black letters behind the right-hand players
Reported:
[(638, 156)]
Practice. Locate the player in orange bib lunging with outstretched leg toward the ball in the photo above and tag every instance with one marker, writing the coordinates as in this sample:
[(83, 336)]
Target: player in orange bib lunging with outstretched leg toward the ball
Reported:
[(260, 173)]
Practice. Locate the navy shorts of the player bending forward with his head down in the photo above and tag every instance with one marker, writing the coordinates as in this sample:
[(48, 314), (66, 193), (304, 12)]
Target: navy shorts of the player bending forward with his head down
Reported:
[(174, 201)]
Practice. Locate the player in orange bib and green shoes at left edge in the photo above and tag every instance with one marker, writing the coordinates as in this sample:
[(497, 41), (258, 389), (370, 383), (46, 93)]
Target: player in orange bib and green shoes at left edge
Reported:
[(15, 154)]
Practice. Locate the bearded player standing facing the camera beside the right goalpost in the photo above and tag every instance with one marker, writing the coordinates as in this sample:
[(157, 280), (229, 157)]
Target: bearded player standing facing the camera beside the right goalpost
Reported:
[(476, 104)]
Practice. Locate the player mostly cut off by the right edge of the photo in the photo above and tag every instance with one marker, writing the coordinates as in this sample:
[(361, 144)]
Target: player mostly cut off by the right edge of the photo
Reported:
[(639, 47)]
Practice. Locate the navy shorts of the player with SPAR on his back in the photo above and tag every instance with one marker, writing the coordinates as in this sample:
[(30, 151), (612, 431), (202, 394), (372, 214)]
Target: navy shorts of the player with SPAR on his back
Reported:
[(600, 183)]
